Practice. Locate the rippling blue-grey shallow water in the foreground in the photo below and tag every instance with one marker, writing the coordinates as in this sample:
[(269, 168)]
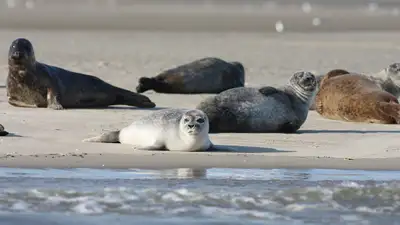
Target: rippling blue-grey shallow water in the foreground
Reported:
[(189, 196)]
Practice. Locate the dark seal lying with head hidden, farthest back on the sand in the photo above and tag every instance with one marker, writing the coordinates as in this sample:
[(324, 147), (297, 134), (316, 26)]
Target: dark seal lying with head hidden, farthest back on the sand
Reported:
[(207, 75)]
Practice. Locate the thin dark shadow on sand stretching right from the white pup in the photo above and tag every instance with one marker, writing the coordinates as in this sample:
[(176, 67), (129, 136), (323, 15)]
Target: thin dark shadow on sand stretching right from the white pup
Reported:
[(243, 149)]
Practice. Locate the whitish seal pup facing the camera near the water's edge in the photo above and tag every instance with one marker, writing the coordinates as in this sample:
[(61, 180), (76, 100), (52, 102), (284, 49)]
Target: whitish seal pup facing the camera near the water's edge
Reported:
[(182, 130)]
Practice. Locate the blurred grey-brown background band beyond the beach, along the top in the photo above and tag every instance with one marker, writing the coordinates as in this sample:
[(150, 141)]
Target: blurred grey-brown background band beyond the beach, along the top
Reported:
[(203, 15)]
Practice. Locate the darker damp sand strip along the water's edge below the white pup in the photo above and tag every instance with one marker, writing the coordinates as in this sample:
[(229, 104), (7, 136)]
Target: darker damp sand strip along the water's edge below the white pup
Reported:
[(159, 161)]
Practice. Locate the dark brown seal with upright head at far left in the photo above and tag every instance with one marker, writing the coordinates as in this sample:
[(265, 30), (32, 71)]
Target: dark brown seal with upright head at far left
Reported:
[(34, 84)]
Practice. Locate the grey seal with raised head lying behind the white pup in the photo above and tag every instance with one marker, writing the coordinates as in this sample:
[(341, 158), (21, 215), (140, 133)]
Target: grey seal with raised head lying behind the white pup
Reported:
[(261, 110)]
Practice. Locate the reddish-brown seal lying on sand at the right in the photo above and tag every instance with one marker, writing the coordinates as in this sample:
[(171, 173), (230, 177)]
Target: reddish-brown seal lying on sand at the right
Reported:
[(356, 98)]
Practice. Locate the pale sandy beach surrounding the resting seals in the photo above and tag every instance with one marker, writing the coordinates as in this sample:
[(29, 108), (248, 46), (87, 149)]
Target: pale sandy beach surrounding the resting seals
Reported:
[(47, 138)]
